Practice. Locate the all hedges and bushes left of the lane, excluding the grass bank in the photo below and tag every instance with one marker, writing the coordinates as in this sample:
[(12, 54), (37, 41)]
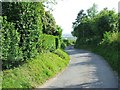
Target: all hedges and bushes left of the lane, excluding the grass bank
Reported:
[(22, 32)]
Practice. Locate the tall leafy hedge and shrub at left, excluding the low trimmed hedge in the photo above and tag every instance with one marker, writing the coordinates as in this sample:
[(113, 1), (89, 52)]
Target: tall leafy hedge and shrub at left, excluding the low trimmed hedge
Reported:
[(20, 31)]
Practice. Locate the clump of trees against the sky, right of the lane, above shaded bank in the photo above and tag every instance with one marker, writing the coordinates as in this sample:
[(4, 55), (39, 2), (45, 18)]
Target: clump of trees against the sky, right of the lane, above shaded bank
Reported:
[(91, 26)]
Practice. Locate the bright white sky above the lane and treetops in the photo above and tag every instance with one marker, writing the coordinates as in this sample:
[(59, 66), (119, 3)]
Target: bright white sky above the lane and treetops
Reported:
[(65, 12)]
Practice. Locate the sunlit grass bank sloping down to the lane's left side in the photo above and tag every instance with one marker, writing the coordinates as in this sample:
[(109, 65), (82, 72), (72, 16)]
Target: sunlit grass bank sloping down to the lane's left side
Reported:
[(36, 71)]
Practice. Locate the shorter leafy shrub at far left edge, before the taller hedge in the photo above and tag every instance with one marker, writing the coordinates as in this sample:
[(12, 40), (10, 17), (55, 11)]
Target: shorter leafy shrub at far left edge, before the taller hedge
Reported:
[(10, 51)]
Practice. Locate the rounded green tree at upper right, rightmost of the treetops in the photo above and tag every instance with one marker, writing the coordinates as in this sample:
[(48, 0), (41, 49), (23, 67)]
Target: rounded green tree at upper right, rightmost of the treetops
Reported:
[(106, 20)]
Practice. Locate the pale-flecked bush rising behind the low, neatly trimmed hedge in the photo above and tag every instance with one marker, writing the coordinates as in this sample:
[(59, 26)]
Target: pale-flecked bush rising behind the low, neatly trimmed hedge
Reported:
[(49, 25)]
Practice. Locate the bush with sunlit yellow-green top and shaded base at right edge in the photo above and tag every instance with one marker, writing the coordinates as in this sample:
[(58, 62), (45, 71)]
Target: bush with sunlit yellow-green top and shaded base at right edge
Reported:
[(109, 47)]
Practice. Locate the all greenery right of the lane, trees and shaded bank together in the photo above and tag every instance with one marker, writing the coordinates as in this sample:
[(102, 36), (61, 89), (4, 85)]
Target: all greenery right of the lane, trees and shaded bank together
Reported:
[(99, 32)]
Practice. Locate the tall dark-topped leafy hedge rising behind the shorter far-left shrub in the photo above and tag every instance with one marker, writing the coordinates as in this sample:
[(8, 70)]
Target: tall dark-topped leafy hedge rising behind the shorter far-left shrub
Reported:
[(27, 18)]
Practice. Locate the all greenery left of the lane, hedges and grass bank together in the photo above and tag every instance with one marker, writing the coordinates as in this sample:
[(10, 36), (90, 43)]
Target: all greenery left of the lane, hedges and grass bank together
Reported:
[(30, 44)]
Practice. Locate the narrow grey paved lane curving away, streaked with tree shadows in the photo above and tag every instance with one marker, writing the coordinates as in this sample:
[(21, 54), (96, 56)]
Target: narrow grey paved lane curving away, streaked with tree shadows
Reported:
[(85, 70)]
